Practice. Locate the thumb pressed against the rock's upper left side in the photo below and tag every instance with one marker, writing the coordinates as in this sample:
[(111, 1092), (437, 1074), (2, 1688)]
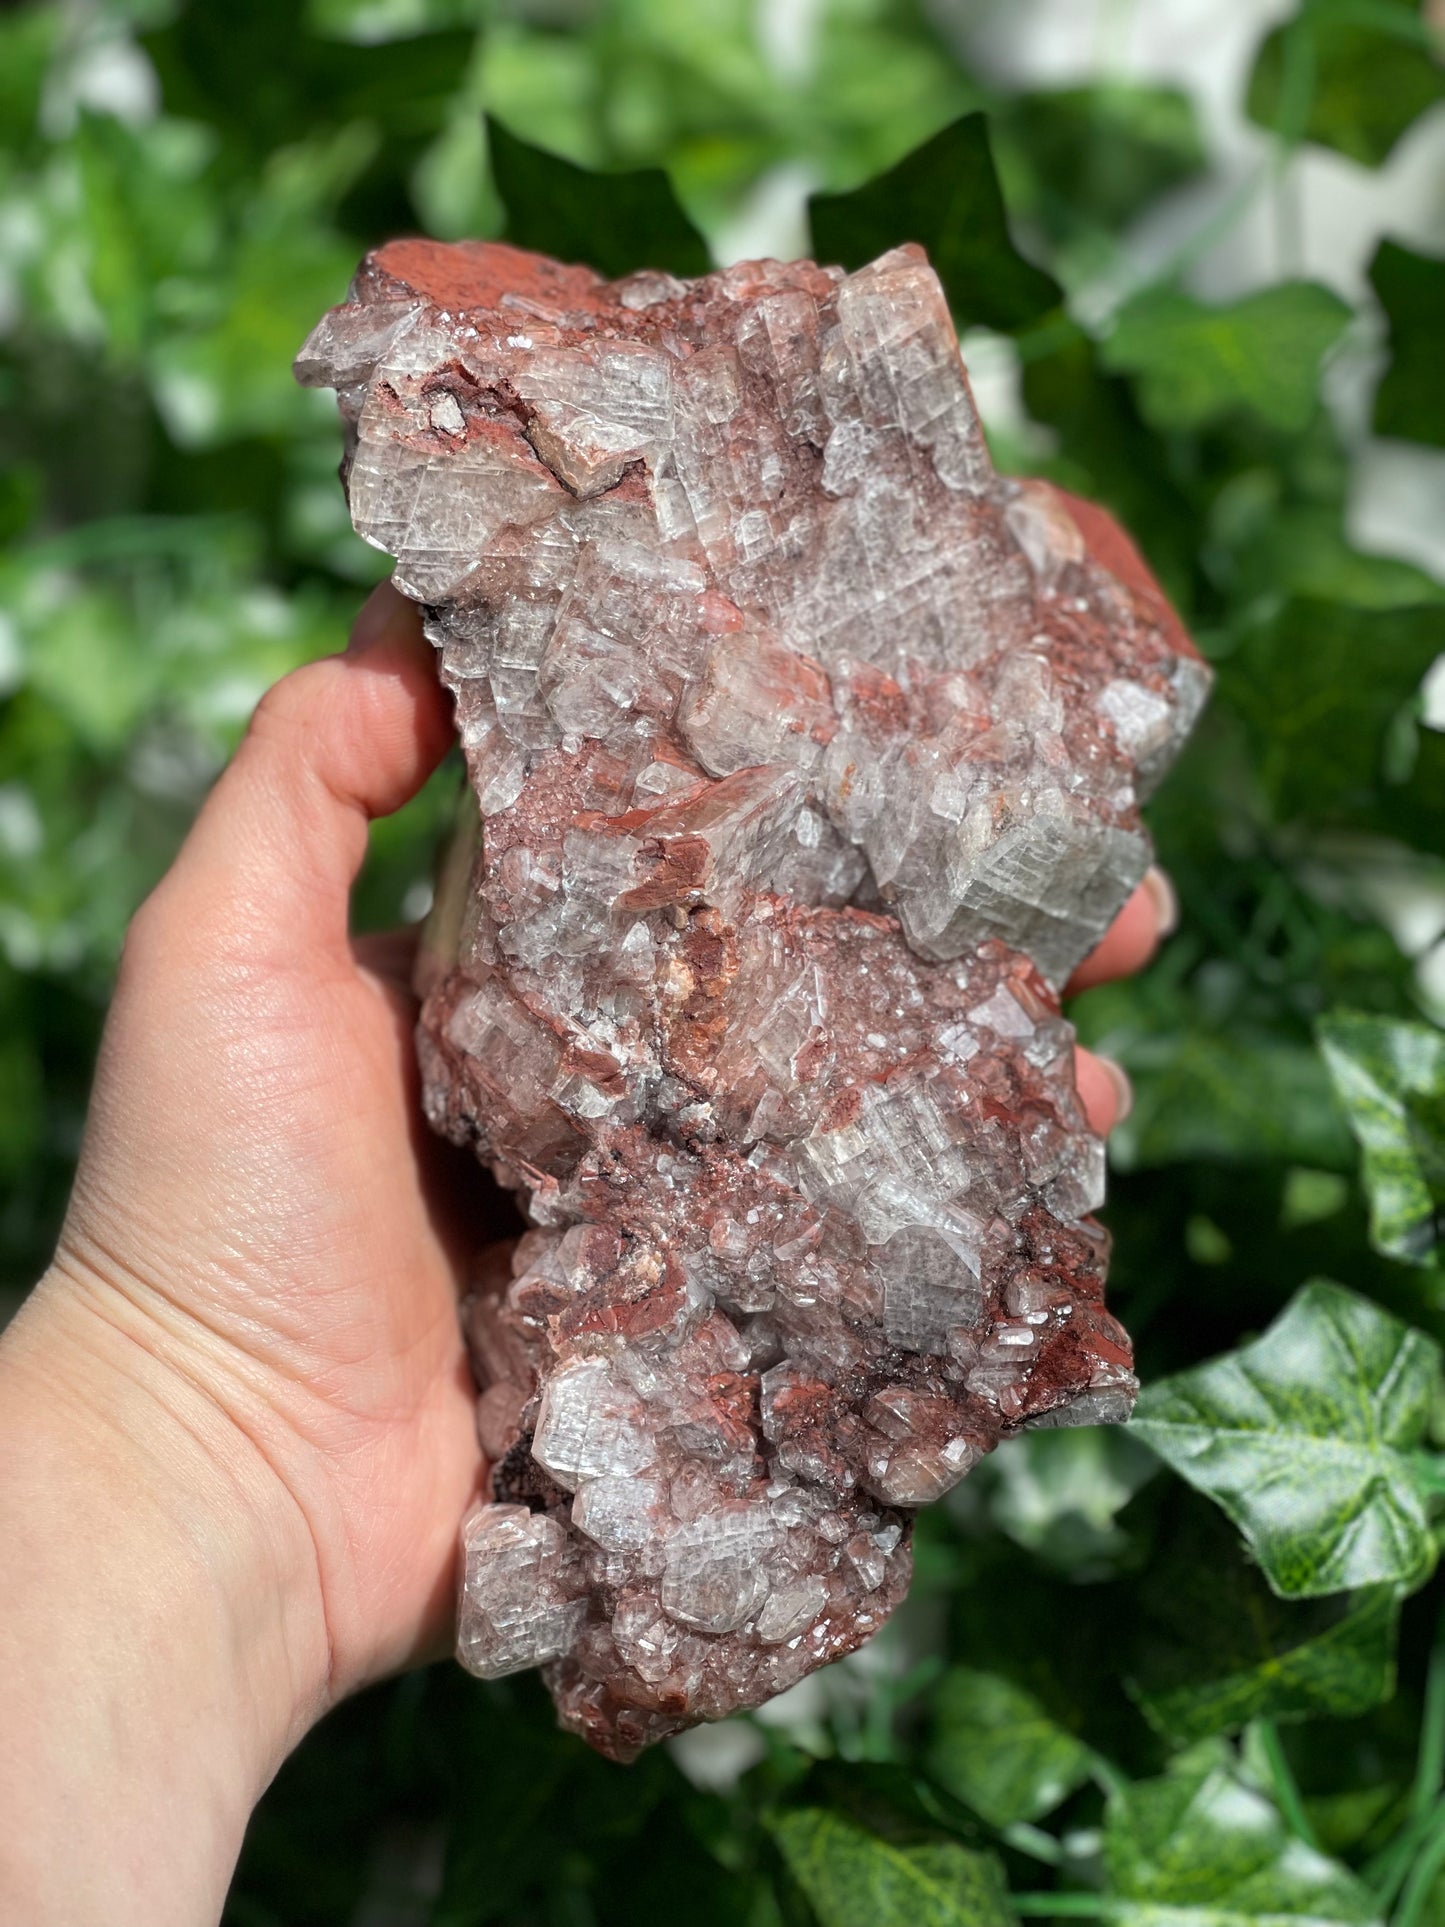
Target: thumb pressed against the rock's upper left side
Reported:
[(334, 745)]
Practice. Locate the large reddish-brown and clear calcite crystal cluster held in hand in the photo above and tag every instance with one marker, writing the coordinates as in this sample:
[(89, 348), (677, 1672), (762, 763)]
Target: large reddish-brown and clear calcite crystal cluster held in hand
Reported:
[(806, 762)]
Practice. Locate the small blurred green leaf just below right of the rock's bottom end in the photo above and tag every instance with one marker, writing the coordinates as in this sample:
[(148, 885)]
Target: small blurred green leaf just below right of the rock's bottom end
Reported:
[(999, 1751)]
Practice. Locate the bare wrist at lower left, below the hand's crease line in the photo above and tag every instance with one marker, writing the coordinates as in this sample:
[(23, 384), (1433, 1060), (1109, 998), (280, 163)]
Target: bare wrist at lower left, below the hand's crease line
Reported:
[(165, 1639)]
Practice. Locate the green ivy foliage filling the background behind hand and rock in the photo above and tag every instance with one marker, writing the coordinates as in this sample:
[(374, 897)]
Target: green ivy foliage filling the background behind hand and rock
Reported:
[(1190, 1672)]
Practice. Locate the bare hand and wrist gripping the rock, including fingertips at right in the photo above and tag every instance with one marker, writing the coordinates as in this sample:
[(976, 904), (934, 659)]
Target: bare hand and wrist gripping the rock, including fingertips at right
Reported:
[(236, 1417)]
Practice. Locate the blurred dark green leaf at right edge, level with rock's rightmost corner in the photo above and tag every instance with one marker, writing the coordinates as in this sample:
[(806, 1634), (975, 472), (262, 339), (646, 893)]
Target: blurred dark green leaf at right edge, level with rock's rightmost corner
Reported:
[(1319, 687)]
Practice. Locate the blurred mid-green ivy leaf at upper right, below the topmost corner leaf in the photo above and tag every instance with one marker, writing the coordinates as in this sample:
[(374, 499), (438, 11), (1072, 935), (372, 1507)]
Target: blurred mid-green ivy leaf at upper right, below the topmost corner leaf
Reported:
[(1195, 365)]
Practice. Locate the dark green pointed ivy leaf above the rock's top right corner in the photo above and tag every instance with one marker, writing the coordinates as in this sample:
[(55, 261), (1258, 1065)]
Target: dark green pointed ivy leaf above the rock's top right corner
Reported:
[(947, 198)]
